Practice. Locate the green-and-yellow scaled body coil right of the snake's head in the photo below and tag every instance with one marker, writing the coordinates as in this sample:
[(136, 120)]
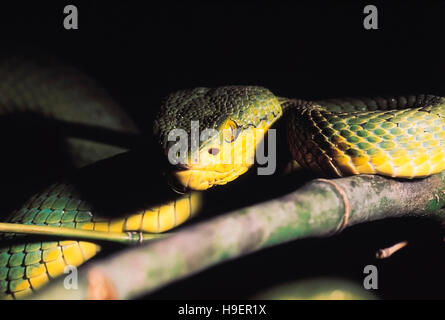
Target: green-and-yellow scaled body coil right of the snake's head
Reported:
[(406, 143)]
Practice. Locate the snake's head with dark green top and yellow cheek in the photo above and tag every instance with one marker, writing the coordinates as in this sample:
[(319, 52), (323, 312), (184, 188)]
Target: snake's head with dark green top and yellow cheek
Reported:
[(209, 135)]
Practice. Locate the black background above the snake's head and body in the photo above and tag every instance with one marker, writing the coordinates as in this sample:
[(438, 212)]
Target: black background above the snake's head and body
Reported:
[(142, 52)]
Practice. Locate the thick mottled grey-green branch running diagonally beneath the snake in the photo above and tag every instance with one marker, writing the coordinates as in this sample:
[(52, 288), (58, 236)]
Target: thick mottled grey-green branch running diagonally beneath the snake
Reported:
[(319, 208)]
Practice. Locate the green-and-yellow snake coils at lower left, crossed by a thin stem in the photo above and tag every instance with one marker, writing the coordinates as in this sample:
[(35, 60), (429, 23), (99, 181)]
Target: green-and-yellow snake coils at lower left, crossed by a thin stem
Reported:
[(27, 267)]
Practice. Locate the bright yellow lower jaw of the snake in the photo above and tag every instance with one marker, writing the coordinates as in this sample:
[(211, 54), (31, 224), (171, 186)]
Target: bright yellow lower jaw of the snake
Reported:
[(202, 179)]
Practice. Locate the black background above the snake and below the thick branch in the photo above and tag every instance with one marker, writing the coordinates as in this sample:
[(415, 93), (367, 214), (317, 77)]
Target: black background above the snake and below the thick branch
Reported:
[(140, 52)]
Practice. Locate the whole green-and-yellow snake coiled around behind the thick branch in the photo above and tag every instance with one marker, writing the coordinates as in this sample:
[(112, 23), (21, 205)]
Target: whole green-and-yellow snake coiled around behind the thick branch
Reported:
[(394, 136)]
